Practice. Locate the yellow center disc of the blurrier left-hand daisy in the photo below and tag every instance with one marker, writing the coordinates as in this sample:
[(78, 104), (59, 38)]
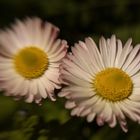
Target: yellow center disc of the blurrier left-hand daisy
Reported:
[(31, 62)]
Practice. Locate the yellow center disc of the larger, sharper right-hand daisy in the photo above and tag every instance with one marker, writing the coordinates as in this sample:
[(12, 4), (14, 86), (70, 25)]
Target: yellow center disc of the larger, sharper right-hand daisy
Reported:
[(113, 84)]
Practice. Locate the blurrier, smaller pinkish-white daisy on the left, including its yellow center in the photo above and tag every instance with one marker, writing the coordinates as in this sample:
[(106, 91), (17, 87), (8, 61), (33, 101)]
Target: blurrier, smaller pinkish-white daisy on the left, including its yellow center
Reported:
[(29, 60)]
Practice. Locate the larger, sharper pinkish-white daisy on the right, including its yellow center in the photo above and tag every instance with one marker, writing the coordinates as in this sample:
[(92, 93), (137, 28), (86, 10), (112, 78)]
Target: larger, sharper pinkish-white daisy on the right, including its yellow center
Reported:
[(103, 83)]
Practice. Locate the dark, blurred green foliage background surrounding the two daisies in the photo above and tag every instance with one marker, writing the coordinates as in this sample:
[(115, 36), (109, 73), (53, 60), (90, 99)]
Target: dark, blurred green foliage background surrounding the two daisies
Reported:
[(76, 20)]
